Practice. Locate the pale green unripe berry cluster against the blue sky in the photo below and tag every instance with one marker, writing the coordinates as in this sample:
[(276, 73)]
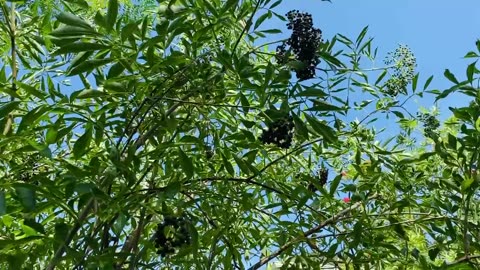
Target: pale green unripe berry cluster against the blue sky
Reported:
[(403, 70)]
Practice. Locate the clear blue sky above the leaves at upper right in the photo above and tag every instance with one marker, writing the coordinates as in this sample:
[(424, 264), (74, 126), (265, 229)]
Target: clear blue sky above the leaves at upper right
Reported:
[(439, 32)]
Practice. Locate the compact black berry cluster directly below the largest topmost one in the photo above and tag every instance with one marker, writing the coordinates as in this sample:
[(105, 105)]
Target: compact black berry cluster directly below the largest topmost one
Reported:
[(279, 133)]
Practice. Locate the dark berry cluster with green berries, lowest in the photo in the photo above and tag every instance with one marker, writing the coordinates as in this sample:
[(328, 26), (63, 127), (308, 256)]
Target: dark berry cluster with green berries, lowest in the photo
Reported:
[(171, 234)]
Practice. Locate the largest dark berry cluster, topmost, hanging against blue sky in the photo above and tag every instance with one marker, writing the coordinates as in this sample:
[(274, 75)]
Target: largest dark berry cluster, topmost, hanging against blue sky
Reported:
[(304, 43)]
